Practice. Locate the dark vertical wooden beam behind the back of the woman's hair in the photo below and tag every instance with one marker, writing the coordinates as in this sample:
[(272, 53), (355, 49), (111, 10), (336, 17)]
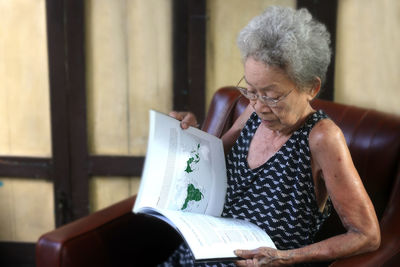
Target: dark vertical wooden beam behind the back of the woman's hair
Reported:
[(325, 12)]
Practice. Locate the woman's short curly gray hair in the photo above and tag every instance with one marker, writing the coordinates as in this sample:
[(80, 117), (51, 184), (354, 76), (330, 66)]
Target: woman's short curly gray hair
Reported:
[(289, 39)]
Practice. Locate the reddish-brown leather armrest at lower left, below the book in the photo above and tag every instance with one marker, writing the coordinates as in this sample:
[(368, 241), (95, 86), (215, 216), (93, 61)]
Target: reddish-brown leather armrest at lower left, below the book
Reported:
[(110, 237)]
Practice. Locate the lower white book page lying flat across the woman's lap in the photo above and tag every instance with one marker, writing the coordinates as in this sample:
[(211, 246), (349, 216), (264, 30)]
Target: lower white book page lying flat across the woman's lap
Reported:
[(210, 237)]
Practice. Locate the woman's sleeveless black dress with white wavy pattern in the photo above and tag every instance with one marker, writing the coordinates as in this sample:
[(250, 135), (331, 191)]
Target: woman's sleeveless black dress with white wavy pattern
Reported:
[(278, 196)]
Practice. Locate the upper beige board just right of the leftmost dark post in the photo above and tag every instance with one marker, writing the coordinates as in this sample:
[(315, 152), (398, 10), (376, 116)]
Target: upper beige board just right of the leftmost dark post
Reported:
[(107, 77)]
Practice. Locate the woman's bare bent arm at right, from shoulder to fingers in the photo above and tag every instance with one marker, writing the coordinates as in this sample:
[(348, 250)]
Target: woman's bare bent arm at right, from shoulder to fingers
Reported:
[(350, 200)]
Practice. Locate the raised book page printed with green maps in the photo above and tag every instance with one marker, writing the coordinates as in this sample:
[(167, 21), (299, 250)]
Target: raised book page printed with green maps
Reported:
[(184, 169)]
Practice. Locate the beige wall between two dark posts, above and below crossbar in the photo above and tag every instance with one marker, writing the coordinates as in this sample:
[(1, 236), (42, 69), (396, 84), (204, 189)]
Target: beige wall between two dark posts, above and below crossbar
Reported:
[(129, 71)]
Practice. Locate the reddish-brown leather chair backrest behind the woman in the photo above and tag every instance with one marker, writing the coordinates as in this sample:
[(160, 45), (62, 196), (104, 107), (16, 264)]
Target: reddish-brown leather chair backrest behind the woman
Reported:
[(373, 138)]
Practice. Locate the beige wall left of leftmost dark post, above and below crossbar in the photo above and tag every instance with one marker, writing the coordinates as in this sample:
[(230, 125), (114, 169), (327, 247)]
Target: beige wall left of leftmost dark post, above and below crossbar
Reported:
[(26, 206)]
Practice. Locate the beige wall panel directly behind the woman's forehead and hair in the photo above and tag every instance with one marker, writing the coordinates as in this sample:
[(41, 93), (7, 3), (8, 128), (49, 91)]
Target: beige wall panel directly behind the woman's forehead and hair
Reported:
[(224, 66)]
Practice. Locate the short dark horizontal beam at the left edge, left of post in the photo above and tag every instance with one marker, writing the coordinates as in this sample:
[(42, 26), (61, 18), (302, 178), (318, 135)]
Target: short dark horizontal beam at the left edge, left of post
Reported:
[(26, 167)]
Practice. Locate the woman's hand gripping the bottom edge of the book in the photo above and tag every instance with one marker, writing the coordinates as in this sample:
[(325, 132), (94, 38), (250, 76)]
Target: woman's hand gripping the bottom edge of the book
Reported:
[(263, 256)]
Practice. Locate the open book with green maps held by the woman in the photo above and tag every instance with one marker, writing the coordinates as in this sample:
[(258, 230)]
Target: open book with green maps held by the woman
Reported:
[(184, 183)]
